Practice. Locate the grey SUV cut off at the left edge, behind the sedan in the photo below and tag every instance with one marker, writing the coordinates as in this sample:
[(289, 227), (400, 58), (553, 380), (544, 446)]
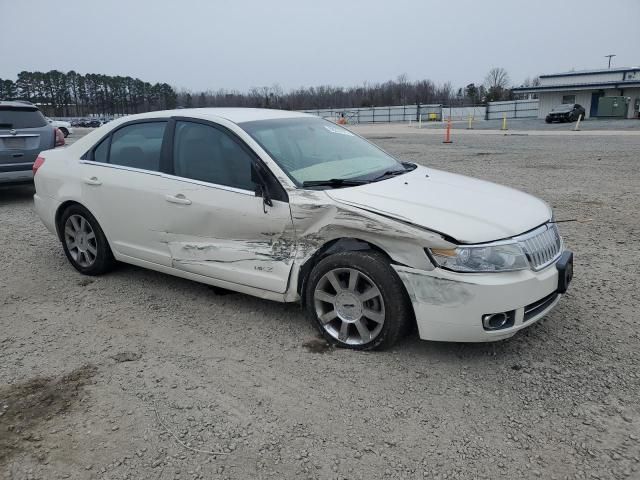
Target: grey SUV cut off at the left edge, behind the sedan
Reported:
[(24, 132)]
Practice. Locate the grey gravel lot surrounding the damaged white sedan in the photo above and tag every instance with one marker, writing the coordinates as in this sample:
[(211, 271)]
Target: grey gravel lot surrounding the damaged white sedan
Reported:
[(138, 375)]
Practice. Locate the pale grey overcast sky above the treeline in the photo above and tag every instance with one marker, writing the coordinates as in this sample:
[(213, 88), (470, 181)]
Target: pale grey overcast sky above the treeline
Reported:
[(237, 44)]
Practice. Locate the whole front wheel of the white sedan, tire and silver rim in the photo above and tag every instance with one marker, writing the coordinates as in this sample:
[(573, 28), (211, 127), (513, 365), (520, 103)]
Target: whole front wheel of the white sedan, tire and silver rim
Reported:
[(376, 322)]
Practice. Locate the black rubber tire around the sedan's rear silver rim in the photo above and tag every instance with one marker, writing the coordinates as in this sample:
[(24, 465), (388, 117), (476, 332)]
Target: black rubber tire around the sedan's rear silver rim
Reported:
[(103, 260)]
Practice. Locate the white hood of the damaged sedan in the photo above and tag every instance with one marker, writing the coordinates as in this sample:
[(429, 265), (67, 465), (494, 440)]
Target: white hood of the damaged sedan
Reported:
[(467, 209)]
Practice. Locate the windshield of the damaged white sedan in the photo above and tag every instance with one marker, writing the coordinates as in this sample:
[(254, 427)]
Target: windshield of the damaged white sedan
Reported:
[(316, 150)]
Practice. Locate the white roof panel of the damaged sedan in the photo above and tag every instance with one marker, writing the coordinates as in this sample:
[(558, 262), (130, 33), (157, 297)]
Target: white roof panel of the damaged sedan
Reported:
[(235, 115)]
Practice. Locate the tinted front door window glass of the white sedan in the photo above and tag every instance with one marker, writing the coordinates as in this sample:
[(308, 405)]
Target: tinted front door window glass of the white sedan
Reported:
[(202, 152)]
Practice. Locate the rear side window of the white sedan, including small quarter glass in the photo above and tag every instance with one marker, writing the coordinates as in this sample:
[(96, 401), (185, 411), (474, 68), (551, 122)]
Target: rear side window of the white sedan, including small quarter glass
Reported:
[(136, 146)]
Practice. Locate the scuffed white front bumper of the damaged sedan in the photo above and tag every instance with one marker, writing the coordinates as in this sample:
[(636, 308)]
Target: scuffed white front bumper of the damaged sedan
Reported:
[(449, 306)]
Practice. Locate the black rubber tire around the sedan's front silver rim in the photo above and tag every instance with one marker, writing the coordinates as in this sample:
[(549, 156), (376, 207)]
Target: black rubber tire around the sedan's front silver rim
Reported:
[(396, 306)]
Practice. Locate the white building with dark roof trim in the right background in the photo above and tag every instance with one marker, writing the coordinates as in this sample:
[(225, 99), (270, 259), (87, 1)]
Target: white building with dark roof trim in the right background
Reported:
[(608, 93)]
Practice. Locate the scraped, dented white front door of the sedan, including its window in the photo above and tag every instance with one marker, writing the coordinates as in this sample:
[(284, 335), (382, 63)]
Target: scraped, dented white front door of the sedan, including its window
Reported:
[(216, 226)]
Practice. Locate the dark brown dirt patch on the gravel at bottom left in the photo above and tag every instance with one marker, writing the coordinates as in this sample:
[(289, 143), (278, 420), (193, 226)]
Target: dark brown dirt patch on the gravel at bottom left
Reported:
[(24, 406)]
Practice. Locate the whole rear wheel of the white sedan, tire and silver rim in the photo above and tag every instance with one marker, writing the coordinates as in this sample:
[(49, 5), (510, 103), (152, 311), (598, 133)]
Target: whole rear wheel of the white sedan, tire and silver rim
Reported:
[(84, 242)]
